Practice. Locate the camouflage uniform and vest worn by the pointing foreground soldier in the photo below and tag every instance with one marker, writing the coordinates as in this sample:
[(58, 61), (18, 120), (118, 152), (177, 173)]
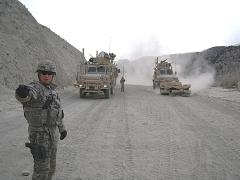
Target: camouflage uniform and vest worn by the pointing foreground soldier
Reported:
[(44, 126)]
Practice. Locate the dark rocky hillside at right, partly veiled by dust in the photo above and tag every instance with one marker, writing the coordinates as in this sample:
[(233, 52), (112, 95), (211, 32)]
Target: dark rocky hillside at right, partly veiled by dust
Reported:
[(223, 61)]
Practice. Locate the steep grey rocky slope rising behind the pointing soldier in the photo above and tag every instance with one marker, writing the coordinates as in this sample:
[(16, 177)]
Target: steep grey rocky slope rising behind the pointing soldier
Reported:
[(24, 42)]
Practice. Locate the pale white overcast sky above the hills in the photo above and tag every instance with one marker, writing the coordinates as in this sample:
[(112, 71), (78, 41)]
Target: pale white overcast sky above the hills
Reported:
[(134, 28)]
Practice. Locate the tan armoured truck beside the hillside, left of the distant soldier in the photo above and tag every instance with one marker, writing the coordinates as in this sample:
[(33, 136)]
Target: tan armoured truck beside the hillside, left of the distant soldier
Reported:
[(97, 76)]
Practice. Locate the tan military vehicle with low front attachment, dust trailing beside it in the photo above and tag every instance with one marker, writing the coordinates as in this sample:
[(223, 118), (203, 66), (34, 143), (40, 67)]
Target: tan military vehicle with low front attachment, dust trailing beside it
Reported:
[(167, 81)]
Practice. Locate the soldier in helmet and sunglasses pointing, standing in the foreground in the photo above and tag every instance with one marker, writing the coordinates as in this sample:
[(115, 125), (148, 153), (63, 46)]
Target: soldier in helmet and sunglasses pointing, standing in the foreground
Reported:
[(43, 112)]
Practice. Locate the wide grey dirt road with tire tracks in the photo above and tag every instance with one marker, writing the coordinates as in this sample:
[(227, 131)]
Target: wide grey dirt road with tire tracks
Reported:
[(138, 135)]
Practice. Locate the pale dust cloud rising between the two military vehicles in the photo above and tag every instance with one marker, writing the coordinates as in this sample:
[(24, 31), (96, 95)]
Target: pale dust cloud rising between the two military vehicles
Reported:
[(138, 70)]
